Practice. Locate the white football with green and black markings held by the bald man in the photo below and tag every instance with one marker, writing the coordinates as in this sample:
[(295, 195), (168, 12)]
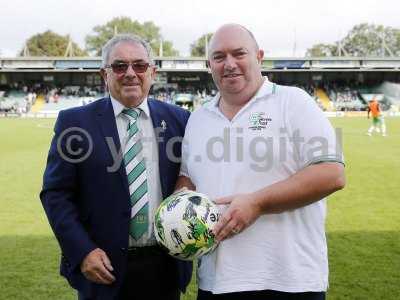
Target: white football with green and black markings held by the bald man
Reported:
[(183, 224)]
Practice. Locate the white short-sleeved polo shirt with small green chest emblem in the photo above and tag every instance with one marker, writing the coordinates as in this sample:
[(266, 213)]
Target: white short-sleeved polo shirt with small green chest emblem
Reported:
[(277, 133)]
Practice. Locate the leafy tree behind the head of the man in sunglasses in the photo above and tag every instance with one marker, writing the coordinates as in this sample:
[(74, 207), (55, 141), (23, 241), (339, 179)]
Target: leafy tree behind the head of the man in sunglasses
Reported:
[(148, 31)]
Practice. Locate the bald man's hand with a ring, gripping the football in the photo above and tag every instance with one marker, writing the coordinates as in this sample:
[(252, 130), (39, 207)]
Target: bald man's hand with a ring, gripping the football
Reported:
[(241, 213)]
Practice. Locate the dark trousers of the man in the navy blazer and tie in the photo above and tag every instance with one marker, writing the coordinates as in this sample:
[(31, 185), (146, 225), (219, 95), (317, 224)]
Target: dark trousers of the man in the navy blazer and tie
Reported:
[(151, 274)]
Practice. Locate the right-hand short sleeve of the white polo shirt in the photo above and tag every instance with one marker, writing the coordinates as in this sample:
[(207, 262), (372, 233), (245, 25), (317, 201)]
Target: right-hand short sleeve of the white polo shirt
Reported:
[(311, 133)]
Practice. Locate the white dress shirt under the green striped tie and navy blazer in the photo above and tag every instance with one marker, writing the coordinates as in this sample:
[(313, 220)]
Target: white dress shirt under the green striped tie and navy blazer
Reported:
[(150, 155)]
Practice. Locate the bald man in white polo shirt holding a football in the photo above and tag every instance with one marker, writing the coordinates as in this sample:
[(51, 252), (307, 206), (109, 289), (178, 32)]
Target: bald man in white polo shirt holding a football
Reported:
[(269, 156)]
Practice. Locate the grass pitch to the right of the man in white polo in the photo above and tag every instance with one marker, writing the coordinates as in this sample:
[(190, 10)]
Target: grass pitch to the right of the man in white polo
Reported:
[(364, 219)]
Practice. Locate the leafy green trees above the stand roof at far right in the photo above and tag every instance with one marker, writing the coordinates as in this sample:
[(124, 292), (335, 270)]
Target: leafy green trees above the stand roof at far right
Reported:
[(363, 40)]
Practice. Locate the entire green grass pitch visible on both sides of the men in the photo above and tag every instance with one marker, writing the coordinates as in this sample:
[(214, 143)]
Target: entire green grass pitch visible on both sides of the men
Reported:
[(363, 220)]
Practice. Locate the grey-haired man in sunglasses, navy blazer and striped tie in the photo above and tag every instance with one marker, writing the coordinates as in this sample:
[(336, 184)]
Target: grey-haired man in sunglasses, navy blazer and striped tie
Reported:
[(109, 166)]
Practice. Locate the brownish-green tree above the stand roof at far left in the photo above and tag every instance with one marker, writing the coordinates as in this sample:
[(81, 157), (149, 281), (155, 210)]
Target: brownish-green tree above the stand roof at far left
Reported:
[(49, 43)]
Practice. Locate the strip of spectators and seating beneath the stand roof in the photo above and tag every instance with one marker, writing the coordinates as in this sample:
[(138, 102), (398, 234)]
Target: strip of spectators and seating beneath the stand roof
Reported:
[(331, 96)]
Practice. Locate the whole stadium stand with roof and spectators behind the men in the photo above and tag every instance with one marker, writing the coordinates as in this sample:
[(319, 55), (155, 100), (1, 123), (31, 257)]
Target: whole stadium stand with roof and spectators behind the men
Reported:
[(336, 83)]
